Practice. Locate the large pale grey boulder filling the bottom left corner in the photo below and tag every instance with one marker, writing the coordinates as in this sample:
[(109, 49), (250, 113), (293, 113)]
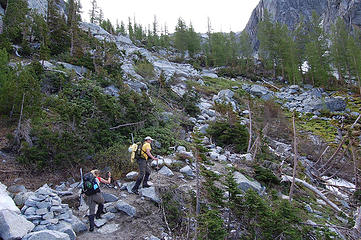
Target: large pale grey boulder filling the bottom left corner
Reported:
[(13, 226)]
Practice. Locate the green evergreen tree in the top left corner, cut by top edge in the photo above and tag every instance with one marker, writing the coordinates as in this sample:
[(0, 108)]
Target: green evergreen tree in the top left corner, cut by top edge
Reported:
[(15, 20)]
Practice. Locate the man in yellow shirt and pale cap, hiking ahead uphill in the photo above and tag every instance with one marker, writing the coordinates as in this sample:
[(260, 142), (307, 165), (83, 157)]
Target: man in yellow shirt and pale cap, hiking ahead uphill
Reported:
[(144, 170)]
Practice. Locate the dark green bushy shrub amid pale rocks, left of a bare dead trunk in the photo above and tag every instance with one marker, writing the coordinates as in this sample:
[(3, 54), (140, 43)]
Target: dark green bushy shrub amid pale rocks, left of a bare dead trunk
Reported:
[(226, 134)]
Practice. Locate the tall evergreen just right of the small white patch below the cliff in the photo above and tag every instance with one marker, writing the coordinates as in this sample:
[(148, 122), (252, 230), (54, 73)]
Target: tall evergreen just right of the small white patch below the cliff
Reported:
[(316, 55)]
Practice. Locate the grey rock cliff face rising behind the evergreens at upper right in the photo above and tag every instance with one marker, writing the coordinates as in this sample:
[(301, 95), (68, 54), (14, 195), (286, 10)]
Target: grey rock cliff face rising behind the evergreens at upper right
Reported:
[(289, 12)]
